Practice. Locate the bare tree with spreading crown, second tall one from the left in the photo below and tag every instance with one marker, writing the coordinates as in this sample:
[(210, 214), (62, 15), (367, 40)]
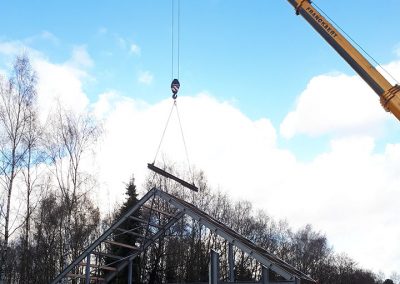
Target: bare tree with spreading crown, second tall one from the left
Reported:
[(69, 137)]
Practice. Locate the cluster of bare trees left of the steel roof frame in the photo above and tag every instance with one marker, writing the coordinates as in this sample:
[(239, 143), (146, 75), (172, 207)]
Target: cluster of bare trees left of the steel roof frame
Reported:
[(46, 214)]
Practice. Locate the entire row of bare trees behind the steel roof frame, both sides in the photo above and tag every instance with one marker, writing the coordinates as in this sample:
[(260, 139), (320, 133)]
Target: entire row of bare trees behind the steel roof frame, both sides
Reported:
[(48, 215)]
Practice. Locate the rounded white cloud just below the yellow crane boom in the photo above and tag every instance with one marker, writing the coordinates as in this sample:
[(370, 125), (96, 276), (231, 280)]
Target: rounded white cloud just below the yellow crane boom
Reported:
[(335, 104)]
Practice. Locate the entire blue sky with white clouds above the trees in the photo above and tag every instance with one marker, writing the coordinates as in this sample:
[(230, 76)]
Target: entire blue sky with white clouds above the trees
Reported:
[(270, 112)]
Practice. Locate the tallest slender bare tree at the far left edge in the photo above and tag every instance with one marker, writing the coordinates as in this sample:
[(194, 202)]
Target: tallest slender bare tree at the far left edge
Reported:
[(16, 97)]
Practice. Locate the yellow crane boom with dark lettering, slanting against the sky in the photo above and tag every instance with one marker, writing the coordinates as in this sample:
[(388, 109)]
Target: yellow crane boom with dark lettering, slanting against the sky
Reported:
[(389, 94)]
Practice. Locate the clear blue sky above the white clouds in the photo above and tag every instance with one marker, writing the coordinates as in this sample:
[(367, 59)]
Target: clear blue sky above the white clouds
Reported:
[(258, 55)]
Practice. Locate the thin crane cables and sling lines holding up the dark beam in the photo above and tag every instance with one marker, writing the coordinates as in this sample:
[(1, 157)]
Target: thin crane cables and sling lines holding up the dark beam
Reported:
[(175, 85)]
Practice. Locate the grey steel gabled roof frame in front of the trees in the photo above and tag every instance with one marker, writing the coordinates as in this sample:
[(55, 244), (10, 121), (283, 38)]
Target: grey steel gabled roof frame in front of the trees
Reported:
[(90, 265)]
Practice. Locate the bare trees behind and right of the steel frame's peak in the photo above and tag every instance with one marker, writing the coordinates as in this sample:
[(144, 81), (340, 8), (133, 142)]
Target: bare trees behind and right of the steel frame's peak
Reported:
[(184, 254)]
